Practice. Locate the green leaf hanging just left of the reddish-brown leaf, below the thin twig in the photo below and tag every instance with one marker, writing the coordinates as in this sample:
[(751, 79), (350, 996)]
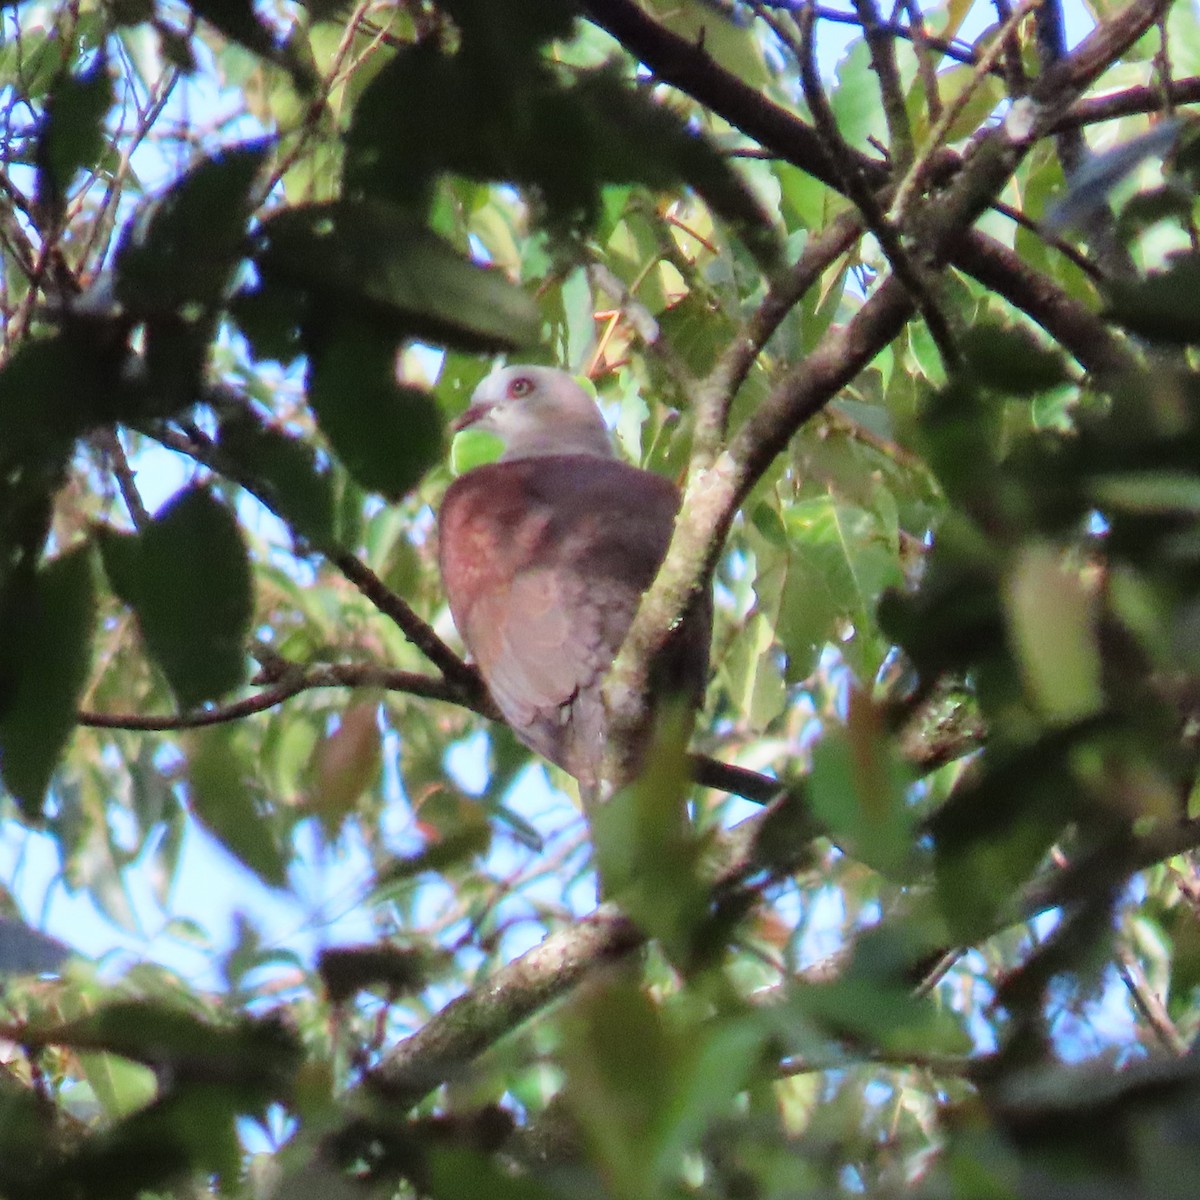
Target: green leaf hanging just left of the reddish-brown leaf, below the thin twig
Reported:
[(224, 800)]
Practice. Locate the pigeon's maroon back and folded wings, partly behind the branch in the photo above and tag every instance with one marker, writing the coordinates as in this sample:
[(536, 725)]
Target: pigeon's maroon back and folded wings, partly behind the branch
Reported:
[(544, 563)]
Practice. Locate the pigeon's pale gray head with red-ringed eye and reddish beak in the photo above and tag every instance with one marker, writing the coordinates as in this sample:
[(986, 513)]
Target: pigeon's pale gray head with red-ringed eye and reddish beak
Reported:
[(538, 412)]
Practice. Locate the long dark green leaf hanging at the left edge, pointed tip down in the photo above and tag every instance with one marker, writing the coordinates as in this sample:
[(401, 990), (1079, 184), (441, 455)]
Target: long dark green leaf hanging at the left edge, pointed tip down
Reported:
[(46, 633)]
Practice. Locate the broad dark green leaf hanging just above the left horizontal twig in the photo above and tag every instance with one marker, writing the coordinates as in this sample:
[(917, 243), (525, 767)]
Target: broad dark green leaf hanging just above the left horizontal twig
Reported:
[(188, 579)]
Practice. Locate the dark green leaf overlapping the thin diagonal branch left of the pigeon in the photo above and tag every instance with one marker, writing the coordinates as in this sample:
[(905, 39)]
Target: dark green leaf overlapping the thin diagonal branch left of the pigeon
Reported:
[(286, 470)]
